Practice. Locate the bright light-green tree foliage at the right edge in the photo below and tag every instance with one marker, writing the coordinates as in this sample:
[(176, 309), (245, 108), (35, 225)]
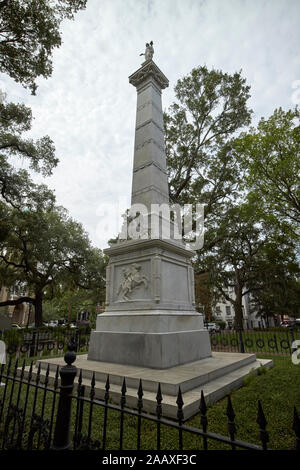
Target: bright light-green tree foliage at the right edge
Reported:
[(271, 155)]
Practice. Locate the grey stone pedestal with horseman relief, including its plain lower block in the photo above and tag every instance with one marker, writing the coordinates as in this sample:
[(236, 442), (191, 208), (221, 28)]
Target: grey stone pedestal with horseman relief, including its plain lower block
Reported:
[(149, 321)]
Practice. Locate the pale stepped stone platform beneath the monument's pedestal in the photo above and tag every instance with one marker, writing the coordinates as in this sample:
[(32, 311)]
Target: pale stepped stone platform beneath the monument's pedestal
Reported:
[(216, 376)]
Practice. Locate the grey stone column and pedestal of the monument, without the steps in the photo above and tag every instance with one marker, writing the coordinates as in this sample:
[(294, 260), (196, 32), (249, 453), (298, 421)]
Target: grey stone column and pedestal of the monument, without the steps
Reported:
[(150, 318)]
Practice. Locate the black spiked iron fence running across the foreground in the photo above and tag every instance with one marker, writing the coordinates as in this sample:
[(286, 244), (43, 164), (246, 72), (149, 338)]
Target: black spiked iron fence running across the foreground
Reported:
[(65, 415)]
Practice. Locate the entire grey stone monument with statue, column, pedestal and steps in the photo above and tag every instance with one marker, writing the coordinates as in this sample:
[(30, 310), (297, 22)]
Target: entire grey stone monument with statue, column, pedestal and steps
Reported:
[(150, 330)]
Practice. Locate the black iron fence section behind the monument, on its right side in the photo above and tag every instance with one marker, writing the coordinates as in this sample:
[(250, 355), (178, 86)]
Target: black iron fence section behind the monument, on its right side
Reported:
[(267, 342)]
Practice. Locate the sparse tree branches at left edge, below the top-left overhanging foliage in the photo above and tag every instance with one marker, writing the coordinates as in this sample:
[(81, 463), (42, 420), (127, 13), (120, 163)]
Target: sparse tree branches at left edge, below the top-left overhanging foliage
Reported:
[(16, 188)]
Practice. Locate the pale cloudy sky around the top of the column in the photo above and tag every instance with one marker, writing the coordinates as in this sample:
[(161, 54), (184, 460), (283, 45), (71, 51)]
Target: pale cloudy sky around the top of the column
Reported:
[(88, 107)]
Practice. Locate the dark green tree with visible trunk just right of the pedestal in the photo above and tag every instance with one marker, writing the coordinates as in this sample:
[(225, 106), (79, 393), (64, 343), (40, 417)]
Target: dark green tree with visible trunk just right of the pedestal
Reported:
[(232, 259)]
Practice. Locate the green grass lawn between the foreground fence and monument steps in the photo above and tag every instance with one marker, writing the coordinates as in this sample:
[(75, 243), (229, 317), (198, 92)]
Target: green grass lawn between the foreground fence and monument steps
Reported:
[(278, 389)]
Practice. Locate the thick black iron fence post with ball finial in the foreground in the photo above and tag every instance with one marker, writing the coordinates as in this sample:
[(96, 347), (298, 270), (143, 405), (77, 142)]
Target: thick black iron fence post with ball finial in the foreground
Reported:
[(61, 440)]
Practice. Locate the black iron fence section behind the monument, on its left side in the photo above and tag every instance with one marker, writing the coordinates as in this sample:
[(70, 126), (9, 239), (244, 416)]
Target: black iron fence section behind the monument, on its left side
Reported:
[(39, 342)]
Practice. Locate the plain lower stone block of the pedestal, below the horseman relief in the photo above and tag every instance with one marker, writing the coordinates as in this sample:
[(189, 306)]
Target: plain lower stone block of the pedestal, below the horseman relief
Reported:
[(158, 339)]
